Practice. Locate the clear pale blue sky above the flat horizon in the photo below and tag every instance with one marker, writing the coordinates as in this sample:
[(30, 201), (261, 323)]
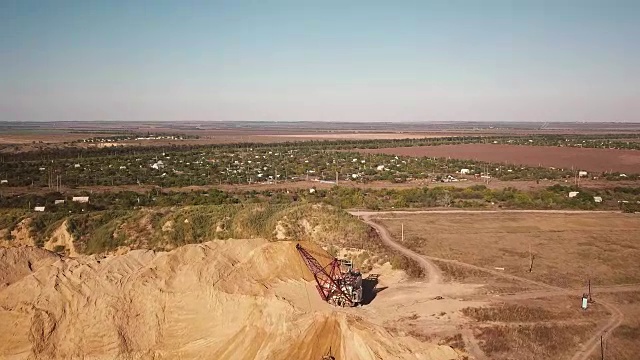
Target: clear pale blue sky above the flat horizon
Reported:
[(320, 60)]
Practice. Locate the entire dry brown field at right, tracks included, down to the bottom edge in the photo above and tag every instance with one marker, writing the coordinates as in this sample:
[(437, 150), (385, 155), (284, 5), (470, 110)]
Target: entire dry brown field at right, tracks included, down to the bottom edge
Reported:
[(537, 314)]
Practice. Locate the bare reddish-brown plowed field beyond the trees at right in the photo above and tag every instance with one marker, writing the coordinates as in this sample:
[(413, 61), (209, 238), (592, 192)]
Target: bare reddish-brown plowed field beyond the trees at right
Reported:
[(626, 161)]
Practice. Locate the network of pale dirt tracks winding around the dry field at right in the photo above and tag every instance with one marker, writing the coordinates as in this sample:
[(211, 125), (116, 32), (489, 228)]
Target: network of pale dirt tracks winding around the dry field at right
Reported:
[(585, 350)]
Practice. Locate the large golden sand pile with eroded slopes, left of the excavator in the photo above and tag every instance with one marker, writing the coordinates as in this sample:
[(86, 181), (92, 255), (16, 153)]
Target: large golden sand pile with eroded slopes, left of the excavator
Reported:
[(235, 299)]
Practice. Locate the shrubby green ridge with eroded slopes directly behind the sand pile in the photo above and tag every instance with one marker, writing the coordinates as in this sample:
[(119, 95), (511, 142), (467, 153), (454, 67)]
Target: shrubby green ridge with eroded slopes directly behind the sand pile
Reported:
[(165, 227)]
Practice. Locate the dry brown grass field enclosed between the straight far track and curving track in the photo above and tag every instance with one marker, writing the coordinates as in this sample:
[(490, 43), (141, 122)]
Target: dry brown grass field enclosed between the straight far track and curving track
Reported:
[(568, 249)]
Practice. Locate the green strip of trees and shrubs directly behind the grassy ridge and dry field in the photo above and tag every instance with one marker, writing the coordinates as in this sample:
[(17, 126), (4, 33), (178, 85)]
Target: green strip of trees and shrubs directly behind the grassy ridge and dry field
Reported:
[(553, 197)]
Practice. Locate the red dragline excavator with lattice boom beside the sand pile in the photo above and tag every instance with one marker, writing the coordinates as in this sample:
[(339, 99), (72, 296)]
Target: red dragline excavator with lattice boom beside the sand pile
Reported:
[(336, 285)]
